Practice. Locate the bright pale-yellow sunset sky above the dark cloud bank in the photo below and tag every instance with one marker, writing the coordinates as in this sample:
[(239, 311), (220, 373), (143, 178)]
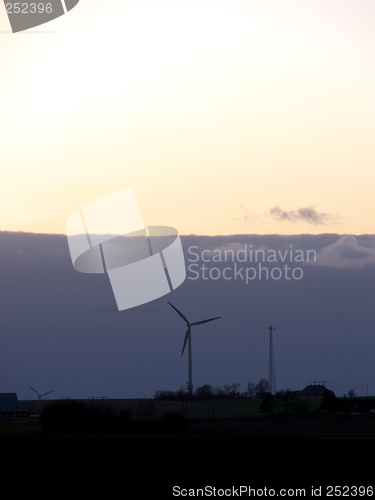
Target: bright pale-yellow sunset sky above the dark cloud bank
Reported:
[(225, 117)]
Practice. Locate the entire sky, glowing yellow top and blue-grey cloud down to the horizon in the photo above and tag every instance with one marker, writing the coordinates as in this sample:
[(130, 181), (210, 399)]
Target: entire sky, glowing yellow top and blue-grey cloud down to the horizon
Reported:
[(238, 121)]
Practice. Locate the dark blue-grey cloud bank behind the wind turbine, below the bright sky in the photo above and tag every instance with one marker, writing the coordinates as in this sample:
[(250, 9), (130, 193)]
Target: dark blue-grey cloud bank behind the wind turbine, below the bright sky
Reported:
[(61, 330)]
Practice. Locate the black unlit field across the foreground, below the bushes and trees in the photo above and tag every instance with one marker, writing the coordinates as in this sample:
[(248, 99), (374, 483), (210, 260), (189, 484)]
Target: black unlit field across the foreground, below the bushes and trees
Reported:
[(271, 452)]
